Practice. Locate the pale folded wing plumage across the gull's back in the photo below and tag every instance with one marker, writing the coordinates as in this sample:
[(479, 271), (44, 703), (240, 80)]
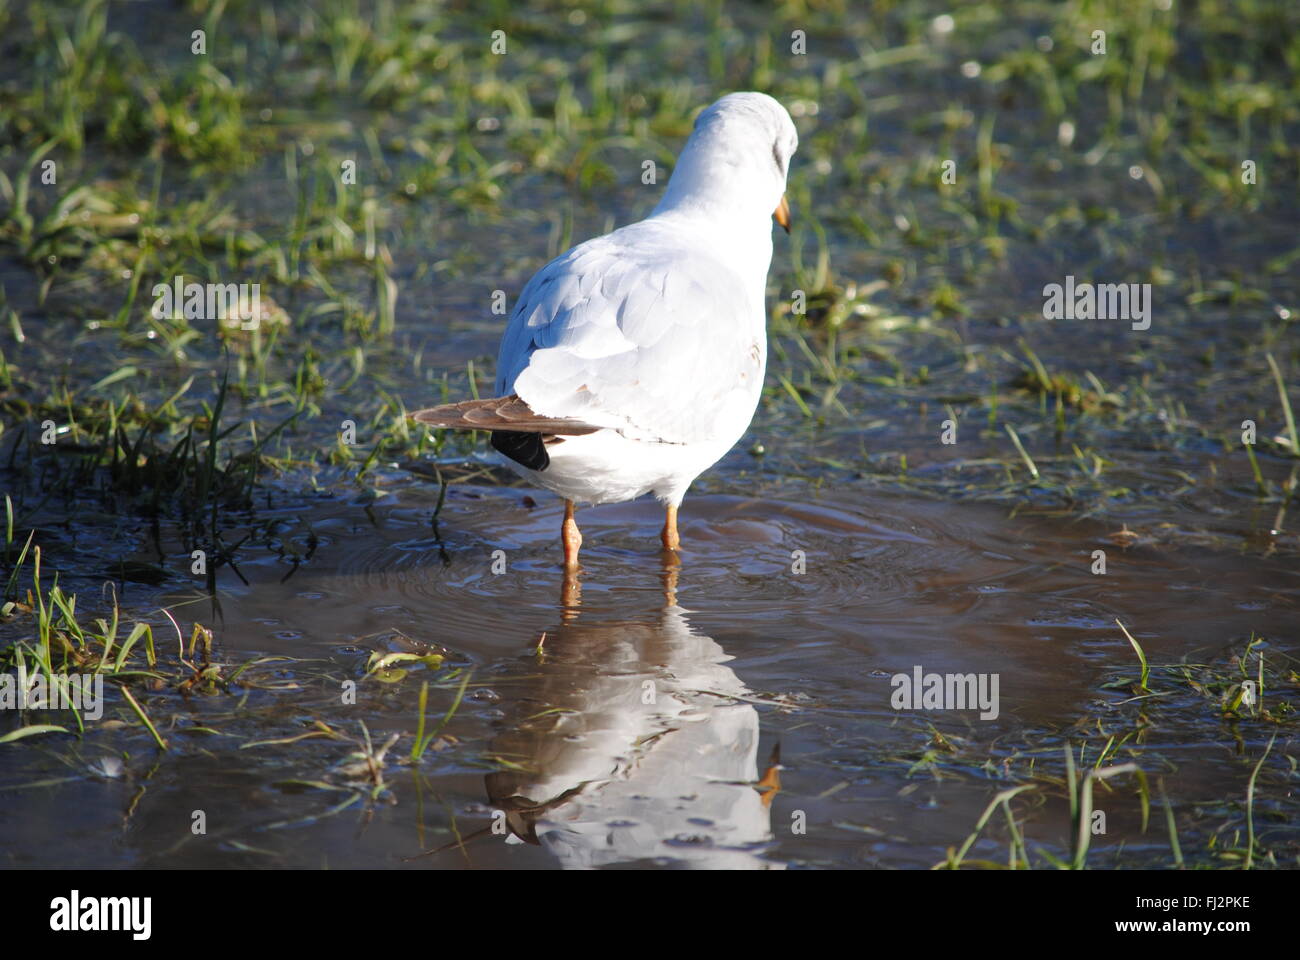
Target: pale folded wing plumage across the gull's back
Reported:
[(636, 334)]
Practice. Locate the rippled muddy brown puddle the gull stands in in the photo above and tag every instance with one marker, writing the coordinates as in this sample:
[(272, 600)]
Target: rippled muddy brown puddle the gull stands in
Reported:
[(635, 717)]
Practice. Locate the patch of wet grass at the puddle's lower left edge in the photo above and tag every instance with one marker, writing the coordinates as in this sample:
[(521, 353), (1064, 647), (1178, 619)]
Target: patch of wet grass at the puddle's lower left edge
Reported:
[(162, 698)]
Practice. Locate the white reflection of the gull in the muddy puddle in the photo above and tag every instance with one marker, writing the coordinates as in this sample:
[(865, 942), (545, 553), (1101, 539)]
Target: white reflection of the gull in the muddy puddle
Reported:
[(631, 742)]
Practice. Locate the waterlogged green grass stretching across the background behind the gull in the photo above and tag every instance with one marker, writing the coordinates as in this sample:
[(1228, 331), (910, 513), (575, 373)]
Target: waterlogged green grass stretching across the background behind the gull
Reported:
[(229, 167)]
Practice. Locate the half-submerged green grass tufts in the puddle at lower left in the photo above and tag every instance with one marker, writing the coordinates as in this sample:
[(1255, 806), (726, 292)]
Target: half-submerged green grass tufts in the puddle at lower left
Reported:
[(51, 654)]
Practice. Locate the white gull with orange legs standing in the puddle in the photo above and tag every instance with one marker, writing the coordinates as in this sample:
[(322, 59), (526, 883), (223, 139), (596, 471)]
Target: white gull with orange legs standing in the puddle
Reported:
[(635, 362)]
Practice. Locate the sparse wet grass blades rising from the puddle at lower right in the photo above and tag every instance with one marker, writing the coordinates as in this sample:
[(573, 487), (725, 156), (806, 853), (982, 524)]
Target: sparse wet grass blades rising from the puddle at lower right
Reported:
[(1136, 741)]
